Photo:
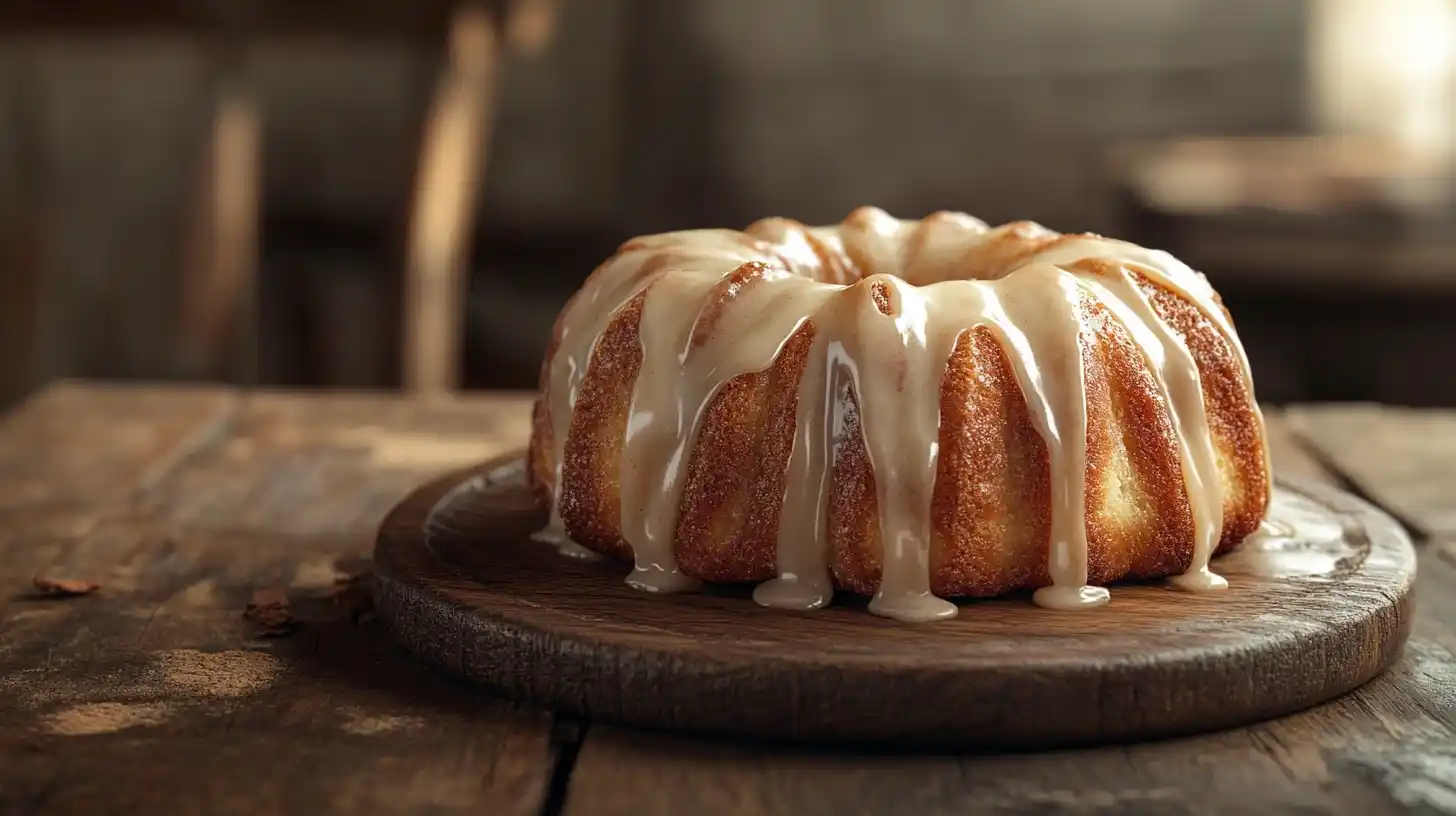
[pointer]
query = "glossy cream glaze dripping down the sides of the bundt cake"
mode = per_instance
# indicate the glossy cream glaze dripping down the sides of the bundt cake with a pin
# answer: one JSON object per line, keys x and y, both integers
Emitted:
{"x": 889, "y": 301}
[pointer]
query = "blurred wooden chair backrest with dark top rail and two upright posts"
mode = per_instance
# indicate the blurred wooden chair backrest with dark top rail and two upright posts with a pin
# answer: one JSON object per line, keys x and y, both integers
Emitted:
{"x": 215, "y": 337}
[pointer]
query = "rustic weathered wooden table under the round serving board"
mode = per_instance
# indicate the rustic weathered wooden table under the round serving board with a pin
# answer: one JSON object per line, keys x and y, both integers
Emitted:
{"x": 154, "y": 694}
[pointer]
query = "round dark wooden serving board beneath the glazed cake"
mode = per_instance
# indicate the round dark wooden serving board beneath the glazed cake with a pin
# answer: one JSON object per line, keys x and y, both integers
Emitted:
{"x": 462, "y": 585}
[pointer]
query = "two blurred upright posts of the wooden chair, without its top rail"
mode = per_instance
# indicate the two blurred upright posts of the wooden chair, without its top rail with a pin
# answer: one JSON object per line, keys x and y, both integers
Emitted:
{"x": 216, "y": 302}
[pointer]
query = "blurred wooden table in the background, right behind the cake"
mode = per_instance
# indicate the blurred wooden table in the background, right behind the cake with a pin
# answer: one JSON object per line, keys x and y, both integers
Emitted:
{"x": 1337, "y": 257}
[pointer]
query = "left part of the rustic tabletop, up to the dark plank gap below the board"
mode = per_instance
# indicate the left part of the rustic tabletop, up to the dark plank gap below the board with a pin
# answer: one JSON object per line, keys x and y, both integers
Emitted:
{"x": 154, "y": 694}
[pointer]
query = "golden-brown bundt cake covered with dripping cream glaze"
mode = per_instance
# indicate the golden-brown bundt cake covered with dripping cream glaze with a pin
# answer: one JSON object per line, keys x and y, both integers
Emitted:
{"x": 901, "y": 410}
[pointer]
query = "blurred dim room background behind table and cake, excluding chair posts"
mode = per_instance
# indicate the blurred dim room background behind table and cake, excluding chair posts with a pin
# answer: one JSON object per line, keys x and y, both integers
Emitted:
{"x": 1208, "y": 127}
